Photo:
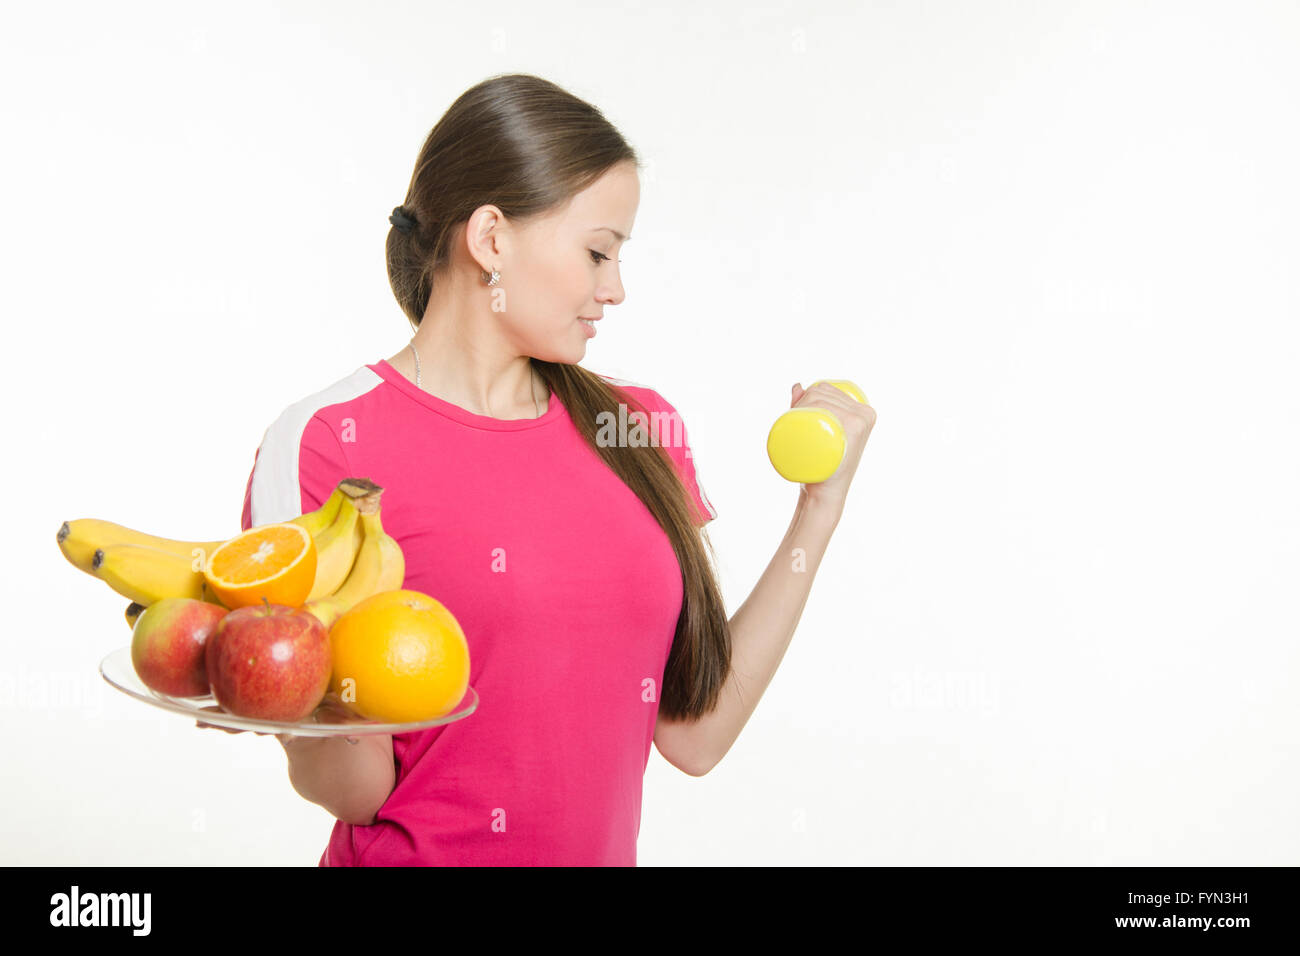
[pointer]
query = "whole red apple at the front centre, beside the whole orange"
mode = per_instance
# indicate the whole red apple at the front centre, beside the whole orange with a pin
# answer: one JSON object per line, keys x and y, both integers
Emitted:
{"x": 270, "y": 661}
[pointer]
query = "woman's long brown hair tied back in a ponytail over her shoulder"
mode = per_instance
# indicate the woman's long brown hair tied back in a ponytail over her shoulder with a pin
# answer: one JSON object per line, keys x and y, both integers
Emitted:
{"x": 528, "y": 146}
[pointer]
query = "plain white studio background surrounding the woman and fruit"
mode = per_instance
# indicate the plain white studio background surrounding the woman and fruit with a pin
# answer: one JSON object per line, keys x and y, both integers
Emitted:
{"x": 1055, "y": 243}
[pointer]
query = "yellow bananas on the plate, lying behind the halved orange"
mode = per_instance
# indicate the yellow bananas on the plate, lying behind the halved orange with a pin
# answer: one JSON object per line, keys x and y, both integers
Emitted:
{"x": 148, "y": 568}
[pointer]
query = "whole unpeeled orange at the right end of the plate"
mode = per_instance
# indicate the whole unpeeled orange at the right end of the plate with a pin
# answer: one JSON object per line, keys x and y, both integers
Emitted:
{"x": 400, "y": 656}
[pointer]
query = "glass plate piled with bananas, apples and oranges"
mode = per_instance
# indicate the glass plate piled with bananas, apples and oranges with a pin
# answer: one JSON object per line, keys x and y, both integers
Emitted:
{"x": 300, "y": 628}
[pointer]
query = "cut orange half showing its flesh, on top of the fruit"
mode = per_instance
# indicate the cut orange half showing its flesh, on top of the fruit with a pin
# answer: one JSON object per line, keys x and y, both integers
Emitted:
{"x": 276, "y": 563}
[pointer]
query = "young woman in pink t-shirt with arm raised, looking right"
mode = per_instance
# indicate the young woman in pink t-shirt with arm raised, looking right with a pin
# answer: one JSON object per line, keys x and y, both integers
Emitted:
{"x": 574, "y": 559}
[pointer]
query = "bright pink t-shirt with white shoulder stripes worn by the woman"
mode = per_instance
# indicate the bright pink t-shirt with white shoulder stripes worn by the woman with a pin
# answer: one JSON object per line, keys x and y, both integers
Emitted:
{"x": 569, "y": 592}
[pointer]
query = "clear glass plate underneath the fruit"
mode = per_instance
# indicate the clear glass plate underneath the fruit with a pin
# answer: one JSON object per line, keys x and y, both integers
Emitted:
{"x": 331, "y": 720}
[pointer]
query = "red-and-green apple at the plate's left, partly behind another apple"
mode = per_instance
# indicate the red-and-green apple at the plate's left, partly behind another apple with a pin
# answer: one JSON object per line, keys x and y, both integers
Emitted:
{"x": 170, "y": 644}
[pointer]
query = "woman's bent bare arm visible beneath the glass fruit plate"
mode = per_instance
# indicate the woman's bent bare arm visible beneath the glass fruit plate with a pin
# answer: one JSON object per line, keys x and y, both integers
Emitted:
{"x": 350, "y": 781}
